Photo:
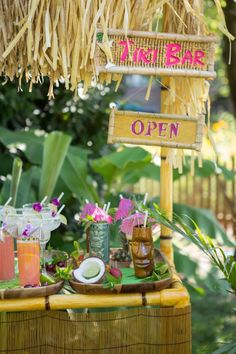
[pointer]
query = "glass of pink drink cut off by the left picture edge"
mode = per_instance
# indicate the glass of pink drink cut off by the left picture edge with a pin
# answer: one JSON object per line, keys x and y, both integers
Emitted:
{"x": 7, "y": 267}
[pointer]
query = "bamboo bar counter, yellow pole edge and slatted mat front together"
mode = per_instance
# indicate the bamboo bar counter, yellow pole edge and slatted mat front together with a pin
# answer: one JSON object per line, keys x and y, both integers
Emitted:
{"x": 152, "y": 323}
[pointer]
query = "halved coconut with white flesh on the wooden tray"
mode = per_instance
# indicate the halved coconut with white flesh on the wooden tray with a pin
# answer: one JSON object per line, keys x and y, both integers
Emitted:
{"x": 90, "y": 271}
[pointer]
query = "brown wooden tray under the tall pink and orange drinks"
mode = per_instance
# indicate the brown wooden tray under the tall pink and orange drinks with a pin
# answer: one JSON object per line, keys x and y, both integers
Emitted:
{"x": 21, "y": 293}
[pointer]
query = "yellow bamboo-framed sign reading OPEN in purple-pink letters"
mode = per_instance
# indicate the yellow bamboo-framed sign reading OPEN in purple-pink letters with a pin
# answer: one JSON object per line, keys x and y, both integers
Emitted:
{"x": 174, "y": 131}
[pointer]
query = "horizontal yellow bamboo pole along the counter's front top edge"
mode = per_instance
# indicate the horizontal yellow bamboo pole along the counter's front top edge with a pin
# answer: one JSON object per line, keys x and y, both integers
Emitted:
{"x": 176, "y": 297}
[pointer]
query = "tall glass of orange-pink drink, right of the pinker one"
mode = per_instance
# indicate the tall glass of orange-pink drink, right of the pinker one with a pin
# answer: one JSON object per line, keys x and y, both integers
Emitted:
{"x": 28, "y": 251}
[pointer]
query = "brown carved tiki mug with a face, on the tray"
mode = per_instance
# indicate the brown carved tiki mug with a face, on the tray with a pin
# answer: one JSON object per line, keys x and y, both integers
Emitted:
{"x": 142, "y": 251}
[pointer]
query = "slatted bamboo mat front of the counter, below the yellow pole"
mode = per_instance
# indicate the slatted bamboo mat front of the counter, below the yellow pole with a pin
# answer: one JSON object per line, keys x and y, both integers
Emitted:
{"x": 126, "y": 331}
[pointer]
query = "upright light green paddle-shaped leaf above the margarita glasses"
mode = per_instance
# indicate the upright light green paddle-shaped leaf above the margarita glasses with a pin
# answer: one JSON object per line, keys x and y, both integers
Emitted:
{"x": 55, "y": 149}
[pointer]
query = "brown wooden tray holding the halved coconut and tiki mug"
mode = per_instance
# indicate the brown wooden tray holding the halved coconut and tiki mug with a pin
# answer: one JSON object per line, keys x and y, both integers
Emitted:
{"x": 82, "y": 288}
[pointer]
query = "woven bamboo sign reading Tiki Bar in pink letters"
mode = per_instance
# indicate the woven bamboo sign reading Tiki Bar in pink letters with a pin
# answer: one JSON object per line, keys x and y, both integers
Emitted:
{"x": 151, "y": 53}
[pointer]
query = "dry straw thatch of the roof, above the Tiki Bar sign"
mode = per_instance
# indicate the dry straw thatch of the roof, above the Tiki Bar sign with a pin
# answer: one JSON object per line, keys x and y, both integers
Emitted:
{"x": 57, "y": 38}
